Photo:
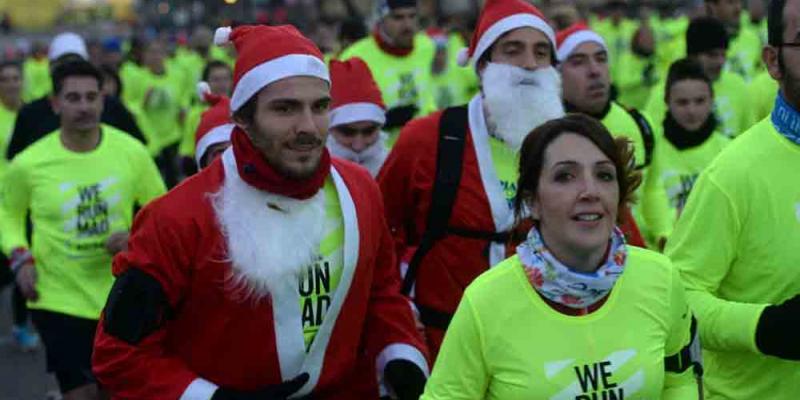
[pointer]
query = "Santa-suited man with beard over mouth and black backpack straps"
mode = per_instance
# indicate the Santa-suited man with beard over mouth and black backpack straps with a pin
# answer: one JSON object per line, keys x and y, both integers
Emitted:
{"x": 513, "y": 54}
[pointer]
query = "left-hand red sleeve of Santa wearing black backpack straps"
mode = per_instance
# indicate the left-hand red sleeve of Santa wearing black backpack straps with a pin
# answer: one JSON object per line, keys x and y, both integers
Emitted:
{"x": 396, "y": 180}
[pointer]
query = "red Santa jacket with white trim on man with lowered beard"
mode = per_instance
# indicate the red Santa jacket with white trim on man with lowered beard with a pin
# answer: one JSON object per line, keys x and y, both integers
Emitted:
{"x": 217, "y": 339}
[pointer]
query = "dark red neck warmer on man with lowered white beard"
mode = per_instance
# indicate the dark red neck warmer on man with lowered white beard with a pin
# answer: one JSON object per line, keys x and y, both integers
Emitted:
{"x": 255, "y": 170}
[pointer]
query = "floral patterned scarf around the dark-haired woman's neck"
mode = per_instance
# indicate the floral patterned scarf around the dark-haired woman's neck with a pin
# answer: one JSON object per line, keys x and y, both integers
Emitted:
{"x": 562, "y": 285}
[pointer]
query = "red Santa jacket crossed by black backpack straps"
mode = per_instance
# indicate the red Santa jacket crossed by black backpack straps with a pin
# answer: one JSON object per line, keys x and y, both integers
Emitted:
{"x": 406, "y": 181}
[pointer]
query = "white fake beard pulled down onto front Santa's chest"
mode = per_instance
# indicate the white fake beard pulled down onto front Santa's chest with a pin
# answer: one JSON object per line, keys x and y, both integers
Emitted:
{"x": 267, "y": 248}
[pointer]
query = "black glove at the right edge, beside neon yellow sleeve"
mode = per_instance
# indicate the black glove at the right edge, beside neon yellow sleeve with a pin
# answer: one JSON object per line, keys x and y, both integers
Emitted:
{"x": 776, "y": 334}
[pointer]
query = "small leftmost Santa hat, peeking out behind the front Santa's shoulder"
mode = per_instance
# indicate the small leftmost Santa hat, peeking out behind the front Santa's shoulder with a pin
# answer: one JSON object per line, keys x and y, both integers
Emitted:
{"x": 215, "y": 123}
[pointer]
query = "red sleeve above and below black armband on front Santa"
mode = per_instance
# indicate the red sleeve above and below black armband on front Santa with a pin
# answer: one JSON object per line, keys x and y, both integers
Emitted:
{"x": 146, "y": 370}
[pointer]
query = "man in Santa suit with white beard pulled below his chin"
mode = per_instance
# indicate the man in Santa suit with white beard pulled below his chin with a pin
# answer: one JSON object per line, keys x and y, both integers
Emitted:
{"x": 270, "y": 274}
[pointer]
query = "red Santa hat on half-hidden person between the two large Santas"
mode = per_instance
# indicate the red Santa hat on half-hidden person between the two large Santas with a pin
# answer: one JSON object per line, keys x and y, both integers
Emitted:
{"x": 355, "y": 95}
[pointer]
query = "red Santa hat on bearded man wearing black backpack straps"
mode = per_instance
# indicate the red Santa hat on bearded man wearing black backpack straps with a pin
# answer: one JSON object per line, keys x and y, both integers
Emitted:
{"x": 499, "y": 17}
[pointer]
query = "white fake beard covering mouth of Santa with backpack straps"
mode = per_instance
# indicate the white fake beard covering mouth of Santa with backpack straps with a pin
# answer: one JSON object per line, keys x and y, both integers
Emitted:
{"x": 517, "y": 100}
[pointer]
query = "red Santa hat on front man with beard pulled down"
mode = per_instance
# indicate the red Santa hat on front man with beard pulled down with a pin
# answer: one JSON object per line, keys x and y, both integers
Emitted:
{"x": 268, "y": 54}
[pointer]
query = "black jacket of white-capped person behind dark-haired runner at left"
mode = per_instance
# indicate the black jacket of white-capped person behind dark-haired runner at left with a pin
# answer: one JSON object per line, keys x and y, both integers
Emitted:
{"x": 36, "y": 119}
